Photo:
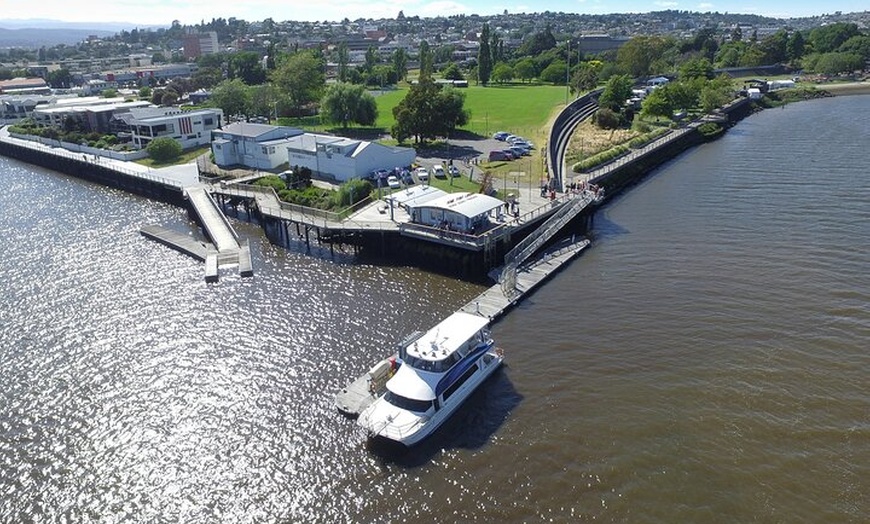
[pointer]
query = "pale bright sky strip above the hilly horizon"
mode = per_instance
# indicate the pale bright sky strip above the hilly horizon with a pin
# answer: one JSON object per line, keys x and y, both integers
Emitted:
{"x": 163, "y": 12}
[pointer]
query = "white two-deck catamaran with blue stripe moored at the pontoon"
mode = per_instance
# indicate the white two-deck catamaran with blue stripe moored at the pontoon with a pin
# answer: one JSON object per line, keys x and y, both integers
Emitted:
{"x": 436, "y": 373}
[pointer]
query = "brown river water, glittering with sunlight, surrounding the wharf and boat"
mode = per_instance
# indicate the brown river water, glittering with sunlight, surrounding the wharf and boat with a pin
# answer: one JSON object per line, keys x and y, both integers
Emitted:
{"x": 705, "y": 361}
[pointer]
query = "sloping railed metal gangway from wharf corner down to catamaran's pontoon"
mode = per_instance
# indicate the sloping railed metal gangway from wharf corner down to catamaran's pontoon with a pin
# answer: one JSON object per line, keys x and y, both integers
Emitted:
{"x": 529, "y": 245}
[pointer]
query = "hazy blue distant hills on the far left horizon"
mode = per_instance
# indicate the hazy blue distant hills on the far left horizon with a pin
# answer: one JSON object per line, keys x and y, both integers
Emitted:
{"x": 35, "y": 33}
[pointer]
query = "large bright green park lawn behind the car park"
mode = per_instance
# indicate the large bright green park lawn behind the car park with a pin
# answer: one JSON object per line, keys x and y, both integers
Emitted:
{"x": 519, "y": 108}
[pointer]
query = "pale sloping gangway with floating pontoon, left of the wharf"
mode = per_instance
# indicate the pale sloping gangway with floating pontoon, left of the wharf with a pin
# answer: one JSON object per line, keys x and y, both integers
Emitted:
{"x": 224, "y": 250}
